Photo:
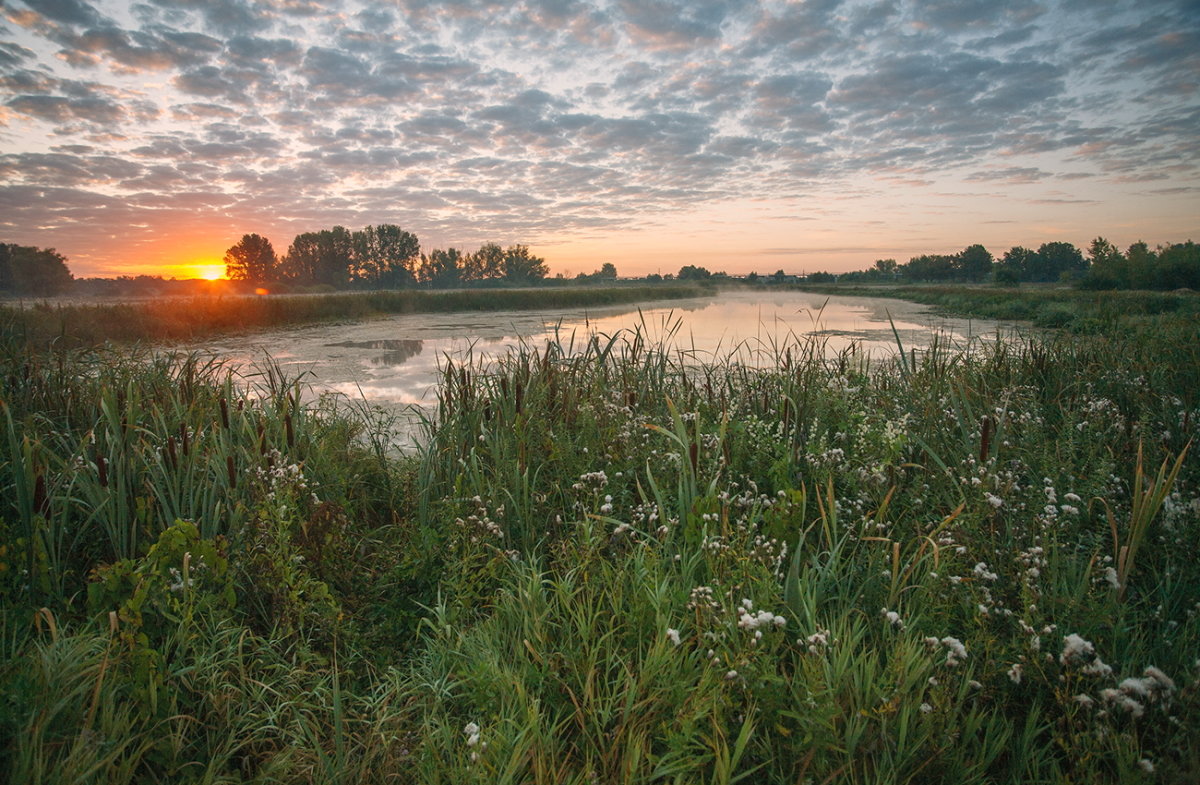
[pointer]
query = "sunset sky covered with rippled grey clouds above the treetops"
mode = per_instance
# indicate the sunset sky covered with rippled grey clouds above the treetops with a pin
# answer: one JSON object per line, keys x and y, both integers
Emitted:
{"x": 148, "y": 137}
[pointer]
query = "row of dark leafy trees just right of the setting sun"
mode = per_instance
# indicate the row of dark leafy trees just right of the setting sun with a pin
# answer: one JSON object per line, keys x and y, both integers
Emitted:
{"x": 379, "y": 257}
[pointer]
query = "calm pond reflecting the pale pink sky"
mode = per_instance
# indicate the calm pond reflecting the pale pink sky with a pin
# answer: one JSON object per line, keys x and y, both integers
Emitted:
{"x": 394, "y": 362}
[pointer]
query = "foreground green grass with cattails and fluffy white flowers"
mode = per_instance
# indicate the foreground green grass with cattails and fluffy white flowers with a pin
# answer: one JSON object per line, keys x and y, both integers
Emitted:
{"x": 961, "y": 566}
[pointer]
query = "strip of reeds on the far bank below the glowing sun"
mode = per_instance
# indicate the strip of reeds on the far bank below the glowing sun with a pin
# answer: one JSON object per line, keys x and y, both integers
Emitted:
{"x": 189, "y": 319}
